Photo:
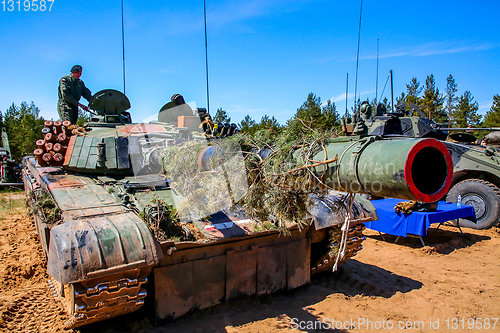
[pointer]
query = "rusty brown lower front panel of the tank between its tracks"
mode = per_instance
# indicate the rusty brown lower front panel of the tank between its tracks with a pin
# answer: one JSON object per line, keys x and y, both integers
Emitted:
{"x": 202, "y": 276}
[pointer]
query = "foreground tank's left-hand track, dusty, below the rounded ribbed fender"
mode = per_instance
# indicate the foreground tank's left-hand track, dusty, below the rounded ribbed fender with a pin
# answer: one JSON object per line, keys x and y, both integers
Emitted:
{"x": 91, "y": 301}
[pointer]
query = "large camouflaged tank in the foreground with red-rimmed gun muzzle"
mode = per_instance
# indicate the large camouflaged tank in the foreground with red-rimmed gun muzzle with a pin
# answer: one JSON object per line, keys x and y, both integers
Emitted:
{"x": 103, "y": 213}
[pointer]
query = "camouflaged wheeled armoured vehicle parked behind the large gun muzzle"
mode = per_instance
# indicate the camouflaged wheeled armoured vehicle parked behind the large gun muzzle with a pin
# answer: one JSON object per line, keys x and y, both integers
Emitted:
{"x": 476, "y": 169}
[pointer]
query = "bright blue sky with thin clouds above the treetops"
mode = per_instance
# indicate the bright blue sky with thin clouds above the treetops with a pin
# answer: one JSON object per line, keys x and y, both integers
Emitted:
{"x": 265, "y": 56}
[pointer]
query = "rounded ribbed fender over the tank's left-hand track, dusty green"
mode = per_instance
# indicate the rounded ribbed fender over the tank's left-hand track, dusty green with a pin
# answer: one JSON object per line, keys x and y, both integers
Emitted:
{"x": 99, "y": 246}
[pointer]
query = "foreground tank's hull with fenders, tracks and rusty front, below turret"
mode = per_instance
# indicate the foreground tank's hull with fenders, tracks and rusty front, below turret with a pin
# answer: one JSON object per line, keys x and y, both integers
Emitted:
{"x": 96, "y": 281}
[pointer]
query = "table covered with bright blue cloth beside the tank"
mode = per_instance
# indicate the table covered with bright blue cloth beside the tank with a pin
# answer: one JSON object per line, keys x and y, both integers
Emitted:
{"x": 415, "y": 223}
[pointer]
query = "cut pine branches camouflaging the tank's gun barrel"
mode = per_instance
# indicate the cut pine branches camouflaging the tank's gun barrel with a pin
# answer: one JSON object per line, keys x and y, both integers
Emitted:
{"x": 278, "y": 187}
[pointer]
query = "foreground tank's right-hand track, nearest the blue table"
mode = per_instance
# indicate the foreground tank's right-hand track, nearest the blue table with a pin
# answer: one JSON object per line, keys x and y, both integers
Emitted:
{"x": 354, "y": 239}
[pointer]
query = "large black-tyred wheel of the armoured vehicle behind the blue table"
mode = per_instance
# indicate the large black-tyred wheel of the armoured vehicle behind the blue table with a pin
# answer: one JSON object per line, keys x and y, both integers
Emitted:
{"x": 483, "y": 196}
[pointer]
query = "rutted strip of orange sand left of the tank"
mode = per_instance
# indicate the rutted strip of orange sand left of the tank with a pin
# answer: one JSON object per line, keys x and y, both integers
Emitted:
{"x": 25, "y": 300}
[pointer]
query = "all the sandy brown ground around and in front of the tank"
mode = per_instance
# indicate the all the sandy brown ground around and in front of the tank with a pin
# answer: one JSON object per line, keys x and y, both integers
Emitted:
{"x": 450, "y": 285}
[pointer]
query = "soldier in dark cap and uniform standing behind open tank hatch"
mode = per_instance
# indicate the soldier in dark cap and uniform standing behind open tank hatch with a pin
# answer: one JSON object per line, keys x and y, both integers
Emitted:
{"x": 71, "y": 89}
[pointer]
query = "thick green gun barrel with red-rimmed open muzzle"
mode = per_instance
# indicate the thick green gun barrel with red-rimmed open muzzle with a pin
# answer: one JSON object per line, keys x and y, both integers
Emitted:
{"x": 411, "y": 169}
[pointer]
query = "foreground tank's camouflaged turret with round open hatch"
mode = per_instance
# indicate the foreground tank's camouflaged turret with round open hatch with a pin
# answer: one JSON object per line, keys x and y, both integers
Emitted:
{"x": 111, "y": 145}
